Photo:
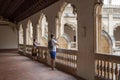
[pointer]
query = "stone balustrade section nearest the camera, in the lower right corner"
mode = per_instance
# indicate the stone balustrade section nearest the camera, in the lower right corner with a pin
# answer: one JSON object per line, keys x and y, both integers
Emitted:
{"x": 107, "y": 67}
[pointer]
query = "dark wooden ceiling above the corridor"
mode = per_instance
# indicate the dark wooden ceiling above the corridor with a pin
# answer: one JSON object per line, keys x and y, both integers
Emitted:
{"x": 17, "y": 10}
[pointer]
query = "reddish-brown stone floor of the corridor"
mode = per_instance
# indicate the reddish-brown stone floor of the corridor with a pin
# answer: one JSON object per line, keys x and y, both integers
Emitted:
{"x": 16, "y": 67}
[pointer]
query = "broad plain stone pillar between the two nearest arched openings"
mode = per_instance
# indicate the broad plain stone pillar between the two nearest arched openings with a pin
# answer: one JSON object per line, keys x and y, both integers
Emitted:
{"x": 86, "y": 60}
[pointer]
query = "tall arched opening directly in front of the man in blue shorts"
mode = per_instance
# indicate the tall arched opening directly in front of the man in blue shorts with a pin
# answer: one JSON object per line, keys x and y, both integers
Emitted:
{"x": 67, "y": 27}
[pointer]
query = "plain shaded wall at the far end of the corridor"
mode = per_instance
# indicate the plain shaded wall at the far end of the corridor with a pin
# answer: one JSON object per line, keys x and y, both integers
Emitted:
{"x": 8, "y": 37}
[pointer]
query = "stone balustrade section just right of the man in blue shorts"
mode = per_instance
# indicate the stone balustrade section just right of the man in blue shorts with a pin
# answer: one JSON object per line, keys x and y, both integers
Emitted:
{"x": 67, "y": 60}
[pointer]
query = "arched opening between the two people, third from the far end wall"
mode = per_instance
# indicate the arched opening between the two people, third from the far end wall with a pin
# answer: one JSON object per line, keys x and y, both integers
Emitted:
{"x": 42, "y": 30}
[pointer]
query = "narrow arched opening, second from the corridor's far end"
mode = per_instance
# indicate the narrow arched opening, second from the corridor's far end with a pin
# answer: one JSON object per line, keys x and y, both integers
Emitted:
{"x": 29, "y": 33}
